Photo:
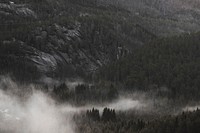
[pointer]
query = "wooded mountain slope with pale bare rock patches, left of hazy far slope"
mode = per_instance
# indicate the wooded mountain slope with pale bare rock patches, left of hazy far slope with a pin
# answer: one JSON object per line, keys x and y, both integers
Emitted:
{"x": 64, "y": 38}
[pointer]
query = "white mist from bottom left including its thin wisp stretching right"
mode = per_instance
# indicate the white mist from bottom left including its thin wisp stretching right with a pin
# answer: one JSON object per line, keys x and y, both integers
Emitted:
{"x": 36, "y": 112}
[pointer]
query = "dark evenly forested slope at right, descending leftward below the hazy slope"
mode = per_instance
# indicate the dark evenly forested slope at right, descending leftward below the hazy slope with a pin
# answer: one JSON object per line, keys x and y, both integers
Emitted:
{"x": 169, "y": 65}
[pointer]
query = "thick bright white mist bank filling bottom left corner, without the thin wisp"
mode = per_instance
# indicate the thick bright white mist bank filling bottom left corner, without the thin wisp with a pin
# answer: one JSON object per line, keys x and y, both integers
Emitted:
{"x": 39, "y": 114}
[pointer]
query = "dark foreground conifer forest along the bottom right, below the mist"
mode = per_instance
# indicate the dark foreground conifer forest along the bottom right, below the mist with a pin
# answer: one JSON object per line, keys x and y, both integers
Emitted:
{"x": 187, "y": 122}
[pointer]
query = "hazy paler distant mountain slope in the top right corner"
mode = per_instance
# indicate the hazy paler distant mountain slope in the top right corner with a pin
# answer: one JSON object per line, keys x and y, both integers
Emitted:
{"x": 164, "y": 17}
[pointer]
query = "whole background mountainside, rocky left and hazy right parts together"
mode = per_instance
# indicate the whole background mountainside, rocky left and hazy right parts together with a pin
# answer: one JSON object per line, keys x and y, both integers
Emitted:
{"x": 70, "y": 38}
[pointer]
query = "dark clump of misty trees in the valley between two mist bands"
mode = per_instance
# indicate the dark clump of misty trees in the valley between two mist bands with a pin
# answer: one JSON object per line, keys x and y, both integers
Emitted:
{"x": 84, "y": 93}
